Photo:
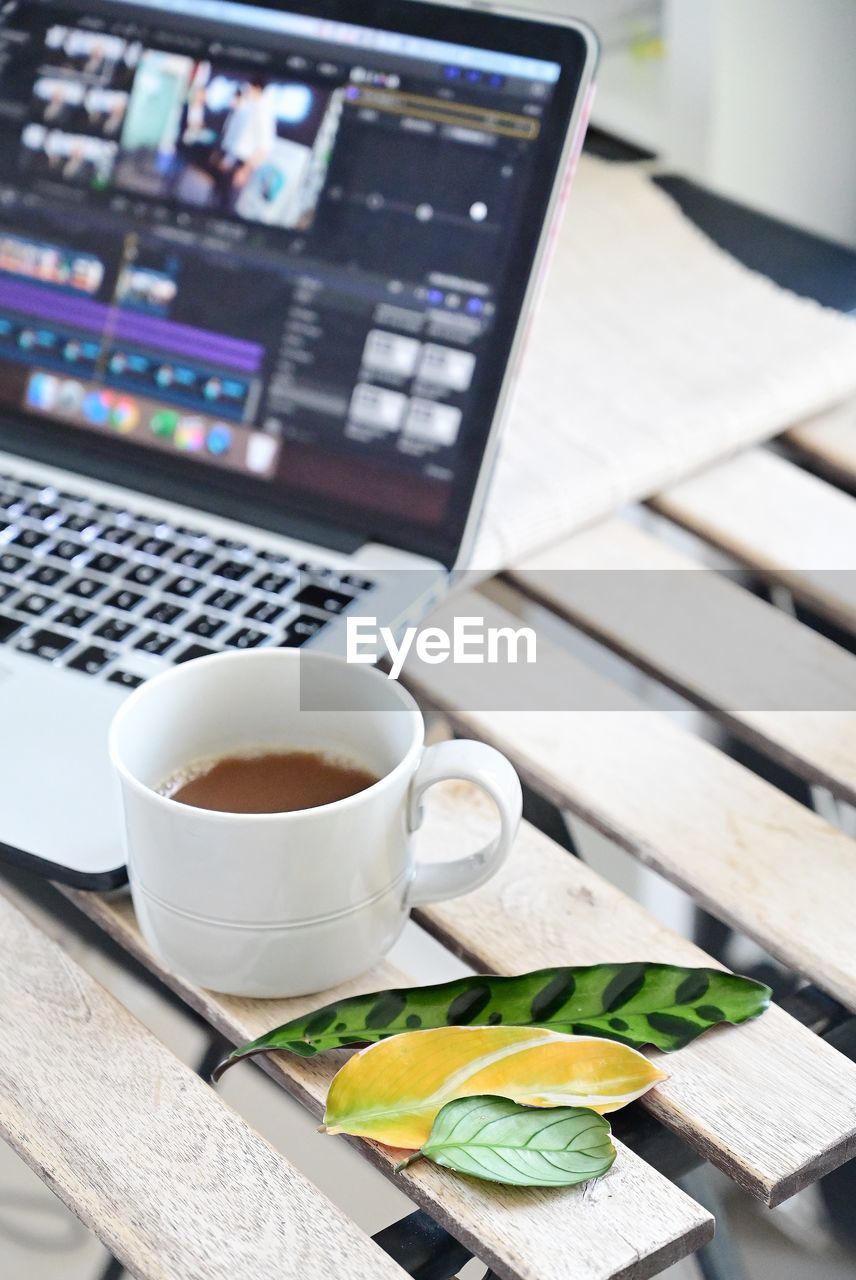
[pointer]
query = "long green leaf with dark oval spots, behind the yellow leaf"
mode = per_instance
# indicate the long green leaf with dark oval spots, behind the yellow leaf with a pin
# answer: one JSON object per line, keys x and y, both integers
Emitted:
{"x": 638, "y": 1004}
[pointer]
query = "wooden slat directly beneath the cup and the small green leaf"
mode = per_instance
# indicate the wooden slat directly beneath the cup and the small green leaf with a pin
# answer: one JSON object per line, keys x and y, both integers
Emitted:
{"x": 630, "y": 1224}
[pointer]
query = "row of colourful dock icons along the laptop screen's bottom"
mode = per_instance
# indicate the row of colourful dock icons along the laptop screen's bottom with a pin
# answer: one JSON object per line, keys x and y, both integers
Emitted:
{"x": 150, "y": 423}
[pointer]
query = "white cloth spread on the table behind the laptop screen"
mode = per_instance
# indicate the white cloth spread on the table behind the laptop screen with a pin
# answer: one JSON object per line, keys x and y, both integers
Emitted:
{"x": 653, "y": 354}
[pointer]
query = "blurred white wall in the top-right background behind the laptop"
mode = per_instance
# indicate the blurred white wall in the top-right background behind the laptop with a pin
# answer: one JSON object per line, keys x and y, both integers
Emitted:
{"x": 756, "y": 99}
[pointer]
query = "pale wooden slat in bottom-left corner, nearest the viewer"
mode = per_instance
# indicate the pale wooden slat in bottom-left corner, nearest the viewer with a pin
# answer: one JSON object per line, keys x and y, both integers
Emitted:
{"x": 173, "y": 1182}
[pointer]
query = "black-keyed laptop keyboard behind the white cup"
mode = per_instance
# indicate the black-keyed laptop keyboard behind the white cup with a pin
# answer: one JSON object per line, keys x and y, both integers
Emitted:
{"x": 115, "y": 593}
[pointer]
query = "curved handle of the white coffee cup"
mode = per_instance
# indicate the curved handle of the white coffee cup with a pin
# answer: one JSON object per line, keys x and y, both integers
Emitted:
{"x": 469, "y": 762}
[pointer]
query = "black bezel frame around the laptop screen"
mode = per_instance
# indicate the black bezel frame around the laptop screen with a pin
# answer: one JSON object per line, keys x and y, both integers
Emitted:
{"x": 289, "y": 511}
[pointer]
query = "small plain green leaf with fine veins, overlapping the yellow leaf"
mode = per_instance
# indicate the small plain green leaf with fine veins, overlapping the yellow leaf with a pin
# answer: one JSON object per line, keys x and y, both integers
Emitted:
{"x": 505, "y": 1142}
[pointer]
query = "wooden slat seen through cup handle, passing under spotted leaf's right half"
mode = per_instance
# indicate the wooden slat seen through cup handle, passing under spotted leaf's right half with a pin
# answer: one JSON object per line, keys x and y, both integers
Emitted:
{"x": 768, "y": 1103}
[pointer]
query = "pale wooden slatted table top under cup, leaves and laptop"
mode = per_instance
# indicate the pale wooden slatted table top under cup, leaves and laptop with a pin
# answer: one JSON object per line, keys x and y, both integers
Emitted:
{"x": 143, "y": 1150}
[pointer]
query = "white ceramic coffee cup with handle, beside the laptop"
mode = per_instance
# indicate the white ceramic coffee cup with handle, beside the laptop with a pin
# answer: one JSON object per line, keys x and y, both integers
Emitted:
{"x": 289, "y": 904}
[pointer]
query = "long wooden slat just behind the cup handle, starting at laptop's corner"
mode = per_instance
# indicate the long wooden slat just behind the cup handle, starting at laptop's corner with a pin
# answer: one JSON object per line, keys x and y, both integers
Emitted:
{"x": 741, "y": 848}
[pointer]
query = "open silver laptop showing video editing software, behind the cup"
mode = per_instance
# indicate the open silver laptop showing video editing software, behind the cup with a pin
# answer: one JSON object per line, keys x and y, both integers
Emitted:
{"x": 264, "y": 272}
